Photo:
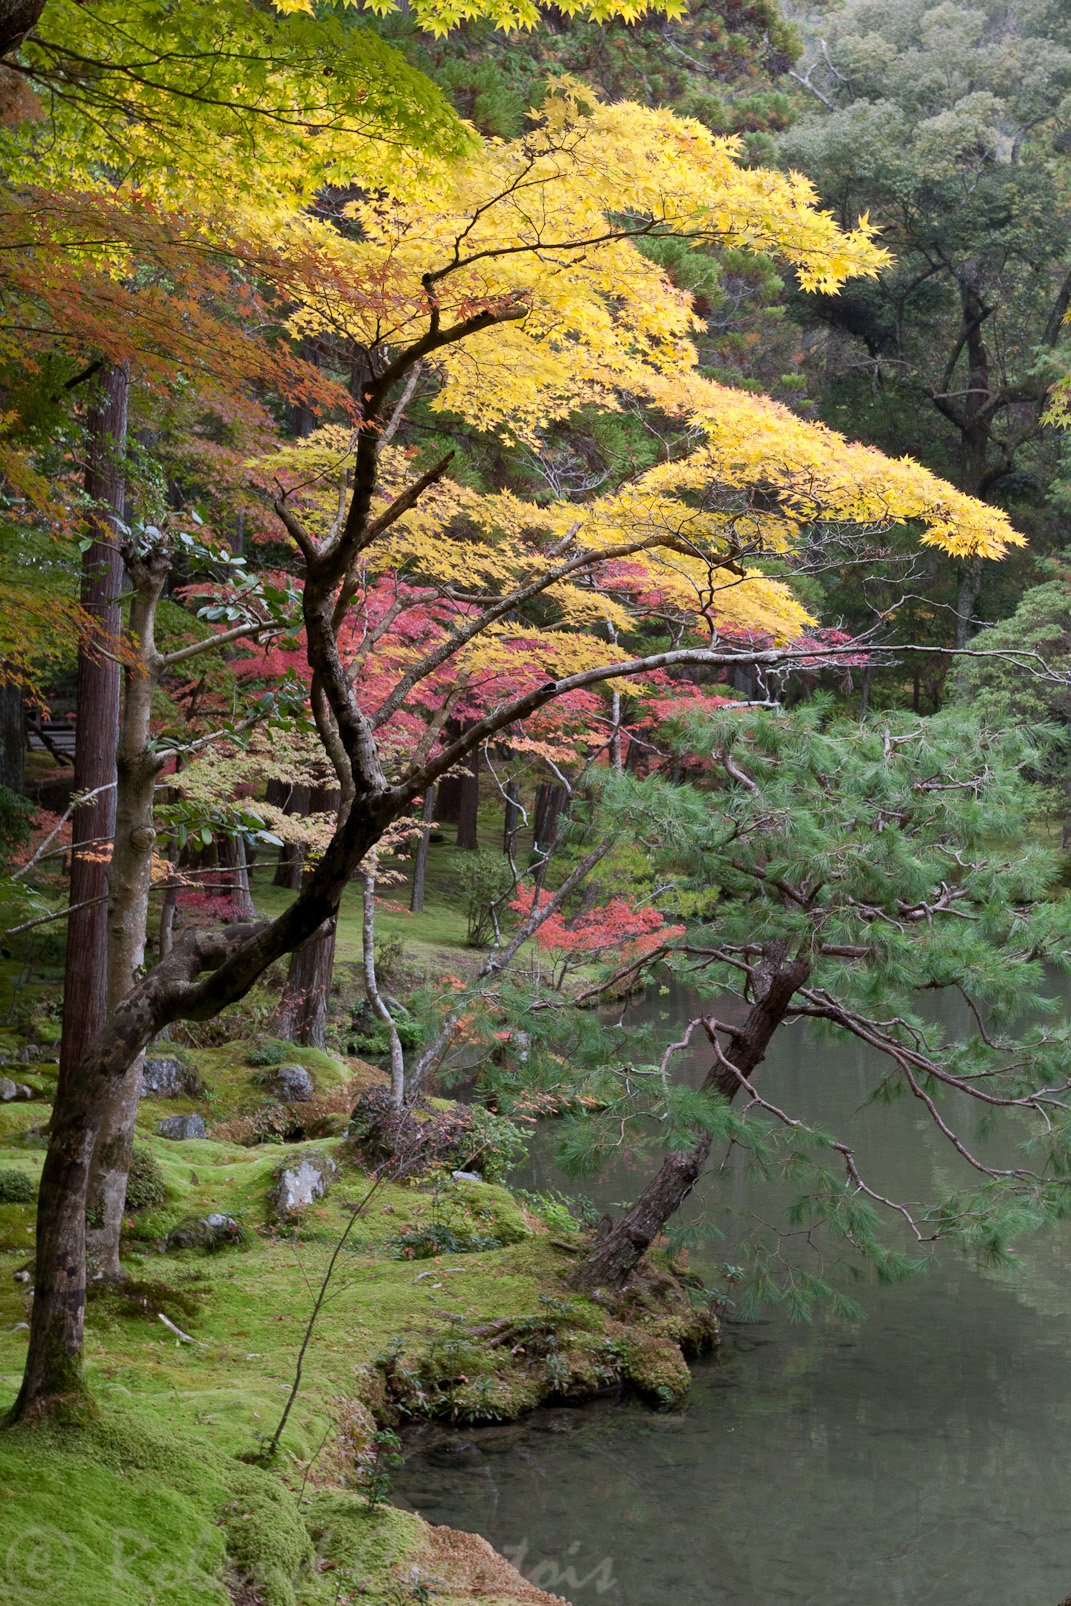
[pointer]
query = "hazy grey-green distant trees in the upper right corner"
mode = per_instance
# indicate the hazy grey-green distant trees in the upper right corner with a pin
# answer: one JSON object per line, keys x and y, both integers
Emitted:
{"x": 950, "y": 126}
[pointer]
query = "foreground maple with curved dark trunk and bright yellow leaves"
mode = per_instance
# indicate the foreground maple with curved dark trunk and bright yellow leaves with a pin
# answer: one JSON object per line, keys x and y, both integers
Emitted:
{"x": 515, "y": 280}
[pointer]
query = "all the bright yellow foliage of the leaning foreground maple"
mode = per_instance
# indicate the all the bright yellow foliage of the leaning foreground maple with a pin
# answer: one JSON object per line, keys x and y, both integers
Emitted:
{"x": 553, "y": 224}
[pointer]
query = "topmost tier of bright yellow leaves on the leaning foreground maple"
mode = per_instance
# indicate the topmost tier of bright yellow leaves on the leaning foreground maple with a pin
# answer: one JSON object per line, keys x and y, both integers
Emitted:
{"x": 553, "y": 222}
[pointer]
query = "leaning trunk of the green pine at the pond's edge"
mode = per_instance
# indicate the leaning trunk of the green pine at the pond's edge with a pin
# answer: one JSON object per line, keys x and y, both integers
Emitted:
{"x": 619, "y": 1250}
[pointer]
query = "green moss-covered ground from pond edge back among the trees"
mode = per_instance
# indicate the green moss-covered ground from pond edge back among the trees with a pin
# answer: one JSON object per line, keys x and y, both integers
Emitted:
{"x": 165, "y": 1496}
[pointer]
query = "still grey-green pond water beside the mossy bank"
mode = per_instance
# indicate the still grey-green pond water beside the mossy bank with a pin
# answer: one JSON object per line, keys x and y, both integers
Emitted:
{"x": 919, "y": 1457}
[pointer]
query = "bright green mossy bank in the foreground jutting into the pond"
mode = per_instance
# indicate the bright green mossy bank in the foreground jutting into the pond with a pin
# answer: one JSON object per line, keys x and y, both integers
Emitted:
{"x": 160, "y": 1498}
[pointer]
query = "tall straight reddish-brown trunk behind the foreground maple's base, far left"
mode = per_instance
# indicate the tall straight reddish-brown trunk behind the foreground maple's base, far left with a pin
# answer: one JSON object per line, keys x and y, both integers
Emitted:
{"x": 86, "y": 974}
